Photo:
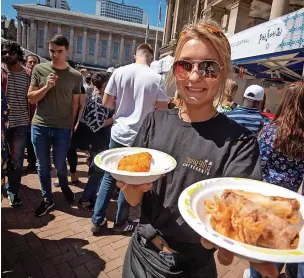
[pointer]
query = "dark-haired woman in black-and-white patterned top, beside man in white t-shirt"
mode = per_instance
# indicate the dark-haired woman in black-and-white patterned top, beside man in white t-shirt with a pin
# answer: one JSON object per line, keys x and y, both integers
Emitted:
{"x": 93, "y": 134}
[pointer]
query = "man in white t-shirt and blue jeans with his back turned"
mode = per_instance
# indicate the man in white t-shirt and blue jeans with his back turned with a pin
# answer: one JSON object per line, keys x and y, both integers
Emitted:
{"x": 133, "y": 91}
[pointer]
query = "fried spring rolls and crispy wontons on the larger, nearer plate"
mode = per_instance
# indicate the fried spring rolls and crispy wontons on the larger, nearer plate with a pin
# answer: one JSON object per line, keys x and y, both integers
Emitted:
{"x": 255, "y": 219}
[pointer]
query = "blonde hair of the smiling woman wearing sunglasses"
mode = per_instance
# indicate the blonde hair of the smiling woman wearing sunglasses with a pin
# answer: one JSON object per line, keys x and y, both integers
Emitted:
{"x": 205, "y": 30}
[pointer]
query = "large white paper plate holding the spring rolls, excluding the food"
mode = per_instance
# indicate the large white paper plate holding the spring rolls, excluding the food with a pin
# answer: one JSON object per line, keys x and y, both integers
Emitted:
{"x": 191, "y": 207}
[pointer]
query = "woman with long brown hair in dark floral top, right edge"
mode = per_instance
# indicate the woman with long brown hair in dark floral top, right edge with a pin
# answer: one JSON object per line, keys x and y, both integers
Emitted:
{"x": 282, "y": 147}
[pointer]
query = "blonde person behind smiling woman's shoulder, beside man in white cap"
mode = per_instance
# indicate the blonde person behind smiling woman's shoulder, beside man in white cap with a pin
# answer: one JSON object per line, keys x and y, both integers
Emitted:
{"x": 226, "y": 103}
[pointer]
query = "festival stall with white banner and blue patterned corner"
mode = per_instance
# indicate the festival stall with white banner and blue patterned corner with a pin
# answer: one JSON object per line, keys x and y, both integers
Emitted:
{"x": 270, "y": 54}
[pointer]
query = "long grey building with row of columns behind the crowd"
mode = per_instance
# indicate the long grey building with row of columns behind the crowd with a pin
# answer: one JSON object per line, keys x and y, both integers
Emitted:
{"x": 94, "y": 40}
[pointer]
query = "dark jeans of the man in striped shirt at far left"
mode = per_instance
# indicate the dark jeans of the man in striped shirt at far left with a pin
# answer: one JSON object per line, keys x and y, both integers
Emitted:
{"x": 16, "y": 138}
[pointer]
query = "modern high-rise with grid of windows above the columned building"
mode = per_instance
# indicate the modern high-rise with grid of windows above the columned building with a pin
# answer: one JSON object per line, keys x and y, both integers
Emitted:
{"x": 120, "y": 11}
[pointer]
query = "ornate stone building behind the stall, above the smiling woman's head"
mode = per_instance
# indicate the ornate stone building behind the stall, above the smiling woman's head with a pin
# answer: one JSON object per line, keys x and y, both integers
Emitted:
{"x": 231, "y": 15}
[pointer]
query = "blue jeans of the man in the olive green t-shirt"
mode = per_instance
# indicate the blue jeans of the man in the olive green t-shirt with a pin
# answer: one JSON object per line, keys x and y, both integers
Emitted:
{"x": 43, "y": 138}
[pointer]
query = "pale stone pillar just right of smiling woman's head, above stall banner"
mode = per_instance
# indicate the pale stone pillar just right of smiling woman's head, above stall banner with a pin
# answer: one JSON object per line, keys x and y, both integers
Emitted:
{"x": 239, "y": 15}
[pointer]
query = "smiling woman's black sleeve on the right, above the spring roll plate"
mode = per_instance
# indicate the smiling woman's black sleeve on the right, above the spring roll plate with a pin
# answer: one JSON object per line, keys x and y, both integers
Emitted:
{"x": 244, "y": 161}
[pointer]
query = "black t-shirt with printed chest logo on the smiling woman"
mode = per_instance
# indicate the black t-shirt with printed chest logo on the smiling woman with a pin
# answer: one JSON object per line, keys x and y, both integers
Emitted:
{"x": 215, "y": 148}
